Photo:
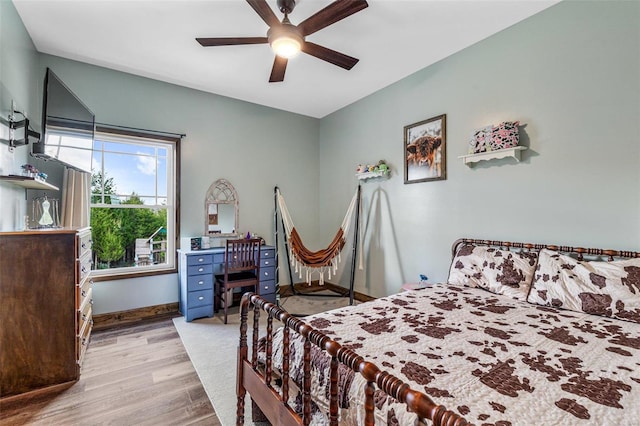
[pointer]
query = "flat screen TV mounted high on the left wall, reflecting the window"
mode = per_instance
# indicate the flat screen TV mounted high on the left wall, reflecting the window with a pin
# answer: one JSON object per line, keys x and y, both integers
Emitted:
{"x": 68, "y": 126}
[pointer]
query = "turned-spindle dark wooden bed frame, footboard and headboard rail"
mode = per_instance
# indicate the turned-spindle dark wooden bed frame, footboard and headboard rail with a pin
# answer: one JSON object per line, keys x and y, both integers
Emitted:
{"x": 270, "y": 402}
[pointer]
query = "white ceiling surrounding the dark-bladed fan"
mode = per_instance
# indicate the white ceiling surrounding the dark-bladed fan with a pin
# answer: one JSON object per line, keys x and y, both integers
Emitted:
{"x": 155, "y": 39}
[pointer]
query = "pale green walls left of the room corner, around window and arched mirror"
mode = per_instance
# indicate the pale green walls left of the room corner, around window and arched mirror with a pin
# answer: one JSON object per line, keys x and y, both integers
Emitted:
{"x": 253, "y": 147}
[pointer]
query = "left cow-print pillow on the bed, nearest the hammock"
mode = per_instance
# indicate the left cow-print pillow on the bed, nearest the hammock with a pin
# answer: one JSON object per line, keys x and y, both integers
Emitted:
{"x": 499, "y": 271}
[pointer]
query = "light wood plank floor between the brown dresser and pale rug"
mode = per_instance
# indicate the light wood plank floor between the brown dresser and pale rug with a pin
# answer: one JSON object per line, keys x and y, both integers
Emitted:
{"x": 139, "y": 375}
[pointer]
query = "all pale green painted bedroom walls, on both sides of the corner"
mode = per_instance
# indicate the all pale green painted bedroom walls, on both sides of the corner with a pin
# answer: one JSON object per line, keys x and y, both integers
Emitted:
{"x": 569, "y": 73}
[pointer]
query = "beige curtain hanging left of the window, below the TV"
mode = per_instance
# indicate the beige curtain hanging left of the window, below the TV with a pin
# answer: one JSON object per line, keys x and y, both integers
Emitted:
{"x": 76, "y": 192}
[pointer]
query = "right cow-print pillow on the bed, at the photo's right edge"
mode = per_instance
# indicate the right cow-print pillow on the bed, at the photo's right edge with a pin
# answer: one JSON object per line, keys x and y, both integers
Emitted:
{"x": 610, "y": 289}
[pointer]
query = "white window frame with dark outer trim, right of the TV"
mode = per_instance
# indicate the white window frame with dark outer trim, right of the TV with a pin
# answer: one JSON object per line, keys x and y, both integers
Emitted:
{"x": 172, "y": 144}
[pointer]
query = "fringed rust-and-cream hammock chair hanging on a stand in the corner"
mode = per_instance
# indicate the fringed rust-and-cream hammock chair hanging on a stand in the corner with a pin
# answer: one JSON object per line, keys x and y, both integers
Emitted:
{"x": 323, "y": 262}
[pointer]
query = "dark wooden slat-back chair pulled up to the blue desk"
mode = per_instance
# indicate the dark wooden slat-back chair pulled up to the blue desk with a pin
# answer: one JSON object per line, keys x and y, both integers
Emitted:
{"x": 241, "y": 269}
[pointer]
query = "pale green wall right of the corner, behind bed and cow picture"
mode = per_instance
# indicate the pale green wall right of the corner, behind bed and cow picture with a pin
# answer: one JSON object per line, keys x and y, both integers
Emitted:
{"x": 571, "y": 75}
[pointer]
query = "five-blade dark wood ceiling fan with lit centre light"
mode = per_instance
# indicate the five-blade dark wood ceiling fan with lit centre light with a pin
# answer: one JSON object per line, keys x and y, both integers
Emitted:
{"x": 287, "y": 39}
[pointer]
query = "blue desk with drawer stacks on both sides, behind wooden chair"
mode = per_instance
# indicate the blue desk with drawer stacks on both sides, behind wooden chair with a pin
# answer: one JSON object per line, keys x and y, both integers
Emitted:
{"x": 197, "y": 270}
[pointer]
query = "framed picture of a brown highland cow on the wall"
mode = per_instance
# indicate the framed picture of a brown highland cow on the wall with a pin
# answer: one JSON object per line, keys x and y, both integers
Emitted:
{"x": 425, "y": 147}
